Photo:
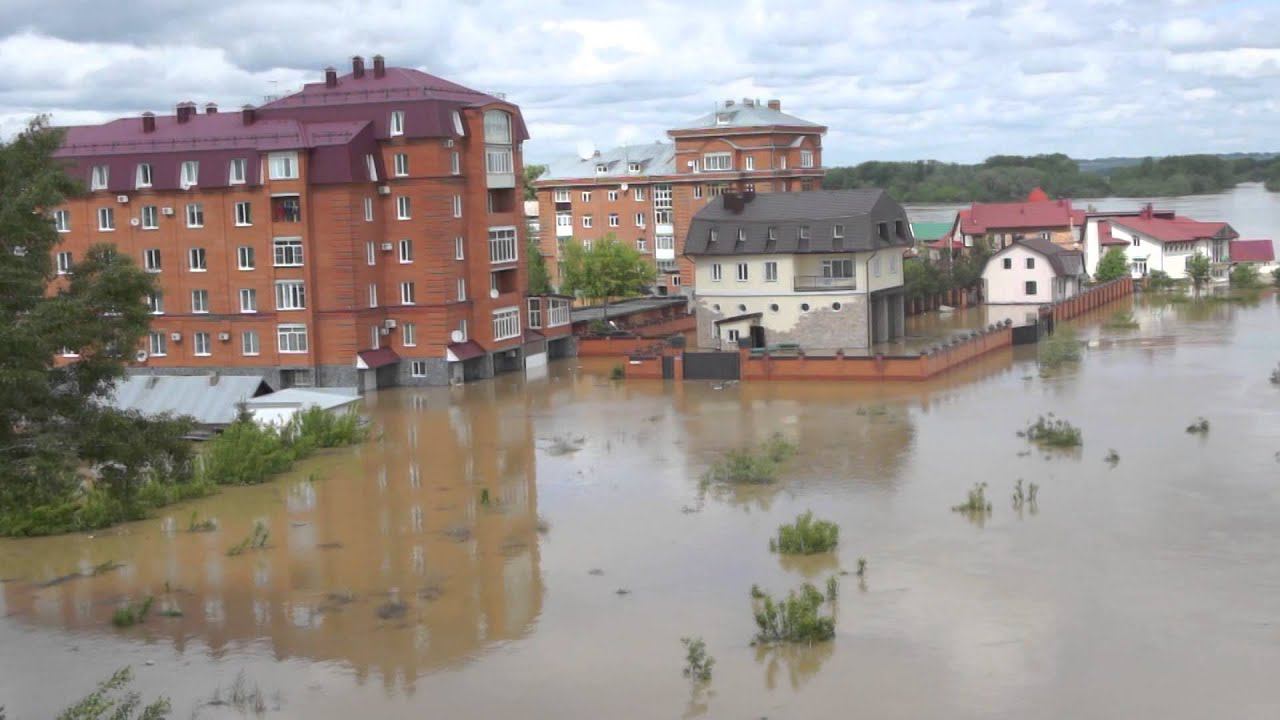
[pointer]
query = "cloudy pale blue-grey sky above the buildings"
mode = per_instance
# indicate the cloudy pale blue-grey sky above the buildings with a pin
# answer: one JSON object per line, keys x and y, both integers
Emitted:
{"x": 894, "y": 81}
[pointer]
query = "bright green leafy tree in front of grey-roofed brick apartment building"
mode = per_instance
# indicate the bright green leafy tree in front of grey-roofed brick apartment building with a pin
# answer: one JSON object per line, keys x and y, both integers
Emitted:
{"x": 606, "y": 271}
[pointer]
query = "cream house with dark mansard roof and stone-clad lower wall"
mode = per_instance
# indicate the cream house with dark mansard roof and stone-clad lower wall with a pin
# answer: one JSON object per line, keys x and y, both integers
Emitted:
{"x": 819, "y": 270}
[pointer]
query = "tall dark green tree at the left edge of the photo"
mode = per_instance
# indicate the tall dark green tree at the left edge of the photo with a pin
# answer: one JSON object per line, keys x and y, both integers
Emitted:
{"x": 53, "y": 423}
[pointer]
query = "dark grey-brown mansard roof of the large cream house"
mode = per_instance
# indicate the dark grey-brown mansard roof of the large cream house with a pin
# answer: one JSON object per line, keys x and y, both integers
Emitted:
{"x": 787, "y": 213}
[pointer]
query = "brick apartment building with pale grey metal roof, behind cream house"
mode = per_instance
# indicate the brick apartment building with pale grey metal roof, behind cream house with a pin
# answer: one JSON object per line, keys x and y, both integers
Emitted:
{"x": 647, "y": 195}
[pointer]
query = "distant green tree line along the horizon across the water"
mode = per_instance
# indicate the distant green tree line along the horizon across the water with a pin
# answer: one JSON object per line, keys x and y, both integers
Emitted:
{"x": 1012, "y": 177}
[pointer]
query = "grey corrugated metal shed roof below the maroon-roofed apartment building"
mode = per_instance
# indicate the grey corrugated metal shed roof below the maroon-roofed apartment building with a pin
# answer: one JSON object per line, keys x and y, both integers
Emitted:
{"x": 199, "y": 397}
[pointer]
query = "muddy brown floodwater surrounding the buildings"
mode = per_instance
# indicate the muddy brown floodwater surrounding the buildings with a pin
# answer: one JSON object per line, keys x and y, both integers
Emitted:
{"x": 390, "y": 590}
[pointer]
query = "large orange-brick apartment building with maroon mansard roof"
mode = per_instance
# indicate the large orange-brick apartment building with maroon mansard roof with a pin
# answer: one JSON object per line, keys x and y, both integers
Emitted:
{"x": 365, "y": 231}
